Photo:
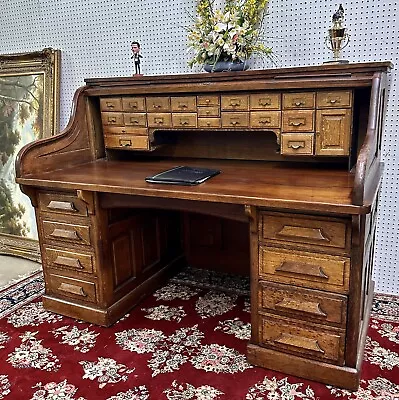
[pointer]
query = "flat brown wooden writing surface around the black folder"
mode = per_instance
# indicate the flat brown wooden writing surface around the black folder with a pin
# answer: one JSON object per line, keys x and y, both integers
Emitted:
{"x": 240, "y": 182}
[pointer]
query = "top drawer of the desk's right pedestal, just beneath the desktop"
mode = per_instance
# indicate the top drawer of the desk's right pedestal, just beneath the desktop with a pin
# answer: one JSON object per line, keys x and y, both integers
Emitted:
{"x": 305, "y": 230}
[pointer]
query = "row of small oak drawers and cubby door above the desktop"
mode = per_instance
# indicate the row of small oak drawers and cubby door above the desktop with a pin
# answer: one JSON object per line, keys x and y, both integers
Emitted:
{"x": 309, "y": 123}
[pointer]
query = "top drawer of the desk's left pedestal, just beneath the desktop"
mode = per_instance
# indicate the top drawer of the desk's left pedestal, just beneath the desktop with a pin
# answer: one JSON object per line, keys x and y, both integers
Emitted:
{"x": 62, "y": 204}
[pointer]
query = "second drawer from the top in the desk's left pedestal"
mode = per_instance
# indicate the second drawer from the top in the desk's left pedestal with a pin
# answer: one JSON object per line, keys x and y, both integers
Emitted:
{"x": 69, "y": 233}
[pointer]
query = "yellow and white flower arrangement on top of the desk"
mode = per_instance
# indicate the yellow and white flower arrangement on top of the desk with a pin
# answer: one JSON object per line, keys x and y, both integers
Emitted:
{"x": 233, "y": 34}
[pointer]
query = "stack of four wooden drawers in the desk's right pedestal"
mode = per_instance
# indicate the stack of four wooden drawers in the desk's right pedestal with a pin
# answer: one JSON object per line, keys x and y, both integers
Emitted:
{"x": 304, "y": 270}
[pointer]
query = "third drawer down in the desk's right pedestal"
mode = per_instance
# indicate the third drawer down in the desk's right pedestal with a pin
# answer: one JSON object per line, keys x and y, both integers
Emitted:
{"x": 305, "y": 304}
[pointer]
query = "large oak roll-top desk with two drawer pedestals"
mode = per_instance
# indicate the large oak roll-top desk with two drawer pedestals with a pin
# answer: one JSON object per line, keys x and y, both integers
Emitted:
{"x": 294, "y": 206}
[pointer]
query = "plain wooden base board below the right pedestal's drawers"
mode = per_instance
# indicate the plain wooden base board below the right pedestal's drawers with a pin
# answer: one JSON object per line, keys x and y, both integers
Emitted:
{"x": 344, "y": 377}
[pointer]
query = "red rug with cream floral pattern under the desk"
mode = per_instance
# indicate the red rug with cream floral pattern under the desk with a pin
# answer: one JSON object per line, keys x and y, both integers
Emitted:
{"x": 183, "y": 342}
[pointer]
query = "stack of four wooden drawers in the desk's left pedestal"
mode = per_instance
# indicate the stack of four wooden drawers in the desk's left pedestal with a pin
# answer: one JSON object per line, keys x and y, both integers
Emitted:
{"x": 67, "y": 246}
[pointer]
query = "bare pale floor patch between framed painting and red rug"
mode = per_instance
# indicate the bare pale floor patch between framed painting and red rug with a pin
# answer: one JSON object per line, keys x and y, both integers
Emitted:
{"x": 13, "y": 269}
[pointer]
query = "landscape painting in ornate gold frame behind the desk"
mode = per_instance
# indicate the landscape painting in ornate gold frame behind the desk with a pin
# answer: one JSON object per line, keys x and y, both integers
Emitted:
{"x": 29, "y": 110}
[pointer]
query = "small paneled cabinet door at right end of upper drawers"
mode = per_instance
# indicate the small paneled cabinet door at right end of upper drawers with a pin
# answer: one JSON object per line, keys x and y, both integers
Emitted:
{"x": 333, "y": 132}
